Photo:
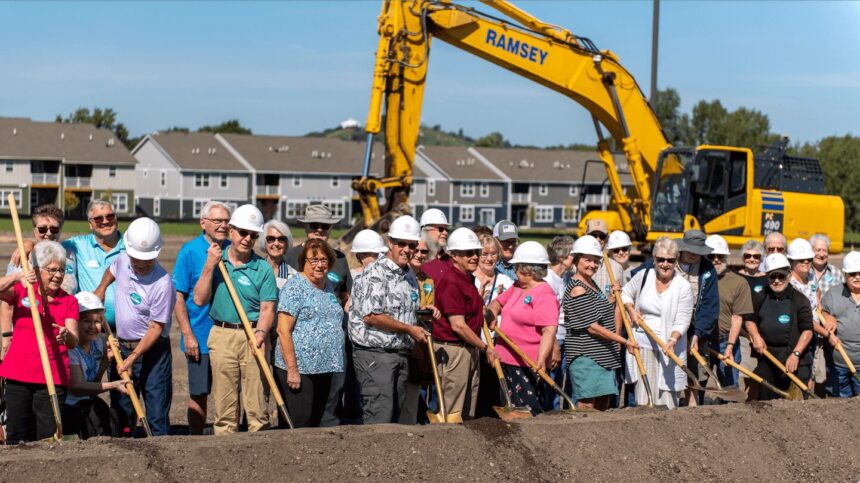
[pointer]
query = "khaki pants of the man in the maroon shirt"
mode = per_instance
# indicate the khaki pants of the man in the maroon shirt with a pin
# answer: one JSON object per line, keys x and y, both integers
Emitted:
{"x": 459, "y": 375}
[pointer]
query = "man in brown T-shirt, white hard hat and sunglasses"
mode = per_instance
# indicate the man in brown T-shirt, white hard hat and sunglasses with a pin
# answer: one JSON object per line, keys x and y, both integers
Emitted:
{"x": 735, "y": 304}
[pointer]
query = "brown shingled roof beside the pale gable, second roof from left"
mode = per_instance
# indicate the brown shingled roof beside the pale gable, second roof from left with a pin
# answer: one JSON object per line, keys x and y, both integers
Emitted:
{"x": 197, "y": 151}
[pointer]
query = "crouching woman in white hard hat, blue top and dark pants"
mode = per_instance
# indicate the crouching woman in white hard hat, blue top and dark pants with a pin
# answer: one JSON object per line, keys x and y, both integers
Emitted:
{"x": 84, "y": 413}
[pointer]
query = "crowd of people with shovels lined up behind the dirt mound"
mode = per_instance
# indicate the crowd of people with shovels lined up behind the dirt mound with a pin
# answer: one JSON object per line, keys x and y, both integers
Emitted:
{"x": 352, "y": 345}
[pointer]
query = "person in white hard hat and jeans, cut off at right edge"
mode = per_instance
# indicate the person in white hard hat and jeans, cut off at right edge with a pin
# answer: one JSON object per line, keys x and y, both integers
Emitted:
{"x": 842, "y": 325}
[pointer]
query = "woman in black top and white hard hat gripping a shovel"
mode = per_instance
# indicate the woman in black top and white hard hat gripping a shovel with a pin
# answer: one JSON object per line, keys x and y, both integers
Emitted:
{"x": 781, "y": 322}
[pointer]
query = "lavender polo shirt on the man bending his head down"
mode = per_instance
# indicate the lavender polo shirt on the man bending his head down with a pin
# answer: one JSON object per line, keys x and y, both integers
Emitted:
{"x": 141, "y": 299}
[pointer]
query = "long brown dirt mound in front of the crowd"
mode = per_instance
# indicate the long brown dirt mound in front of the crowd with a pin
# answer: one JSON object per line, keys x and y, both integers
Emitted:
{"x": 813, "y": 440}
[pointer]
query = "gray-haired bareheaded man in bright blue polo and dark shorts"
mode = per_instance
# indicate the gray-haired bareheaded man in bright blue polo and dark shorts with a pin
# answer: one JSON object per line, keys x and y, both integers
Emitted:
{"x": 193, "y": 319}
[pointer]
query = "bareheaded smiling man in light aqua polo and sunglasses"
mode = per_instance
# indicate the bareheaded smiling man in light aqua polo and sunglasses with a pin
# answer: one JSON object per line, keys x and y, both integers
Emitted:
{"x": 94, "y": 253}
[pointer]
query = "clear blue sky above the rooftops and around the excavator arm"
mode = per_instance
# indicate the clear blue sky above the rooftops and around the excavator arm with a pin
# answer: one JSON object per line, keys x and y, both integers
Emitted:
{"x": 294, "y": 67}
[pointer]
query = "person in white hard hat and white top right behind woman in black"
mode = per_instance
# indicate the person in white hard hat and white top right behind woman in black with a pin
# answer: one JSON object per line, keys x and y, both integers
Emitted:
{"x": 800, "y": 256}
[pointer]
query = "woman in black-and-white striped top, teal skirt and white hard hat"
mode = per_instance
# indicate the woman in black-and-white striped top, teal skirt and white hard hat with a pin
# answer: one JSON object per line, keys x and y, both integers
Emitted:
{"x": 591, "y": 342}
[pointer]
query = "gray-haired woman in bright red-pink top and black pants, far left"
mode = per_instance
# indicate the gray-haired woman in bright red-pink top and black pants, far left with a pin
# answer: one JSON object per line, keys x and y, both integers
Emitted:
{"x": 28, "y": 405}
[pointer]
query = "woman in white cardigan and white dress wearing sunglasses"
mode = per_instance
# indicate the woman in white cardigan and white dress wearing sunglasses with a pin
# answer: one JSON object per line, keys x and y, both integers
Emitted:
{"x": 663, "y": 300}
